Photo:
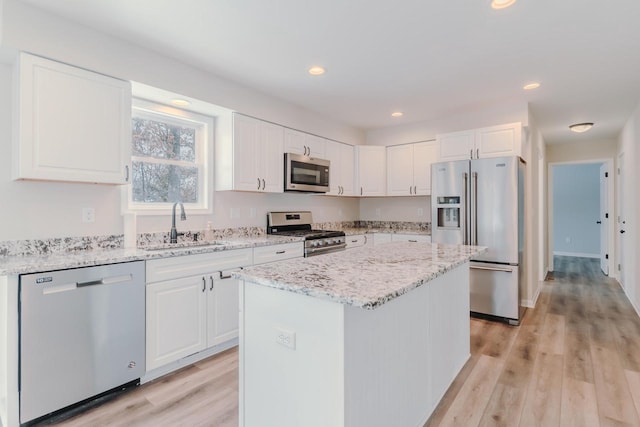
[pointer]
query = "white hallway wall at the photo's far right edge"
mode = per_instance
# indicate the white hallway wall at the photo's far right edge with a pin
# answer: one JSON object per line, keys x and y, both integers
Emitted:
{"x": 628, "y": 142}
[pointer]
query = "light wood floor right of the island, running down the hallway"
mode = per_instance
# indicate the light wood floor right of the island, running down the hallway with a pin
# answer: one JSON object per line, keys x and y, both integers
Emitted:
{"x": 574, "y": 361}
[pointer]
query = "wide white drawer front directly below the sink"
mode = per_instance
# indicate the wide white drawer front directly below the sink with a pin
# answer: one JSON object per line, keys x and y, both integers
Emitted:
{"x": 190, "y": 265}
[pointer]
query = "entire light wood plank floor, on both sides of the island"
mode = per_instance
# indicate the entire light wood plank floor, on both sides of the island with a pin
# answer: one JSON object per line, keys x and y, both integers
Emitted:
{"x": 574, "y": 361}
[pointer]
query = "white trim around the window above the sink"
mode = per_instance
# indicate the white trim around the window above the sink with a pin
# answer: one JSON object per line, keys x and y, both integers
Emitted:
{"x": 205, "y": 151}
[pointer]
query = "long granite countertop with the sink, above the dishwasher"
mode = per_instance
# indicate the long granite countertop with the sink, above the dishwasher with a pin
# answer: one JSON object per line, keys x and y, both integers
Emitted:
{"x": 10, "y": 265}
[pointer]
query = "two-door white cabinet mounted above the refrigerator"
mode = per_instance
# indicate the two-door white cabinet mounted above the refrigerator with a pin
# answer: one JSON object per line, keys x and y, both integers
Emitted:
{"x": 494, "y": 141}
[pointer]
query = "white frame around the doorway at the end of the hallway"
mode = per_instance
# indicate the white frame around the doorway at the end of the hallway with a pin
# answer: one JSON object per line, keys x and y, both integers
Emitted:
{"x": 610, "y": 203}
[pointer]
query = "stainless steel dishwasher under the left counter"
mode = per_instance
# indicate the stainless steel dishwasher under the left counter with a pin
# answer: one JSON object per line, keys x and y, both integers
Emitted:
{"x": 82, "y": 333}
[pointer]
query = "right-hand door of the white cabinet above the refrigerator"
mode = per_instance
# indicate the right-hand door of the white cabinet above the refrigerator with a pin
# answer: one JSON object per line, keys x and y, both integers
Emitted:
{"x": 498, "y": 141}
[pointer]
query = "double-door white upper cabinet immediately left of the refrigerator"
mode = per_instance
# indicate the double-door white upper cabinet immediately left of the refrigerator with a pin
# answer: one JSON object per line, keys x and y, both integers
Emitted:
{"x": 409, "y": 168}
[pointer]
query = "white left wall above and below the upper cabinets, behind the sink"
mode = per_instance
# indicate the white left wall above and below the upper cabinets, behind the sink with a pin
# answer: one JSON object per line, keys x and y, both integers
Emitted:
{"x": 44, "y": 209}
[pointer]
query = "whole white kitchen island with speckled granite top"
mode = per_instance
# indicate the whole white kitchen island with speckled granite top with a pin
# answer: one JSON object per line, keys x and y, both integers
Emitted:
{"x": 371, "y": 336}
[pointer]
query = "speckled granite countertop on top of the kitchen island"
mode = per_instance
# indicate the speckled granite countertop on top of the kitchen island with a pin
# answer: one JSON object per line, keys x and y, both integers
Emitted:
{"x": 365, "y": 277}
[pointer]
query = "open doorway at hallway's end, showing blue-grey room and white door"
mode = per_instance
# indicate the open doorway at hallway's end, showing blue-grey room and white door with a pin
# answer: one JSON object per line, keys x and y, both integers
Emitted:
{"x": 580, "y": 197}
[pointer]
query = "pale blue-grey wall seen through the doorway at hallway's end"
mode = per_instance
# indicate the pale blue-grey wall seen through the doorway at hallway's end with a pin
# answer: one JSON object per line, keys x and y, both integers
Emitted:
{"x": 576, "y": 208}
